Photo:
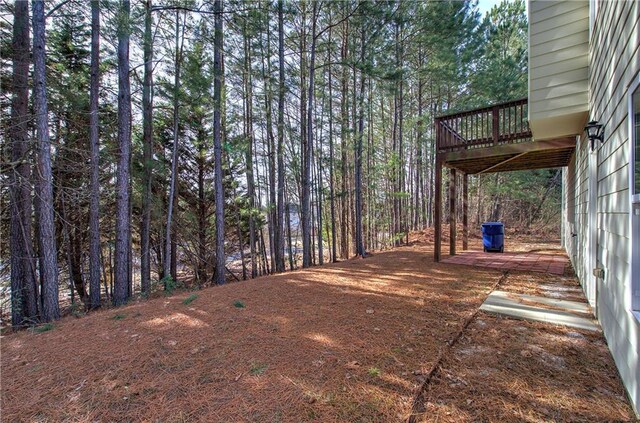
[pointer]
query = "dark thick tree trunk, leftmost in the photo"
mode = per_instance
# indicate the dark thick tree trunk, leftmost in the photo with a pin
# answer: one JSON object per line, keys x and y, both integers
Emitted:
{"x": 24, "y": 287}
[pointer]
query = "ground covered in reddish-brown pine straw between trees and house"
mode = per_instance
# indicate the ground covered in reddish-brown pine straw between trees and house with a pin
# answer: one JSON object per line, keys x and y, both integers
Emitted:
{"x": 353, "y": 341}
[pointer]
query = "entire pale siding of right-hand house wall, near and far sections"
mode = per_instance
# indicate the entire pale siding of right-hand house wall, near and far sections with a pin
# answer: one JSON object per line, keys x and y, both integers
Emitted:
{"x": 614, "y": 58}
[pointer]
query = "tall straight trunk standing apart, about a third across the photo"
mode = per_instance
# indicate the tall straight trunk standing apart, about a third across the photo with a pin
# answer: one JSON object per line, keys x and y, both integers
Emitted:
{"x": 217, "y": 144}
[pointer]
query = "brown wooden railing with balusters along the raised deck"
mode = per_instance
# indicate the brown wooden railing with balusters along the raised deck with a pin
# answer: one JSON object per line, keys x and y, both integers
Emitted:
{"x": 504, "y": 123}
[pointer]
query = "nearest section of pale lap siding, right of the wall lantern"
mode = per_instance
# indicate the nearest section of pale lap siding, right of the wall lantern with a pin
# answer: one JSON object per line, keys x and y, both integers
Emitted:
{"x": 614, "y": 63}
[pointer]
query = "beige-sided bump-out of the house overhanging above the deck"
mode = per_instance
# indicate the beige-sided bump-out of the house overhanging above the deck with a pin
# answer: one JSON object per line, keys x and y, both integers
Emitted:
{"x": 558, "y": 67}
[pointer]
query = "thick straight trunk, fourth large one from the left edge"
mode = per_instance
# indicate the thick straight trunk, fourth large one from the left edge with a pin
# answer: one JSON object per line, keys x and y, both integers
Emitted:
{"x": 123, "y": 218}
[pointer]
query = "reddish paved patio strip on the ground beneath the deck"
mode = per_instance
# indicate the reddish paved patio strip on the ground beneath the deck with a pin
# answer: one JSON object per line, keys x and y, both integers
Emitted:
{"x": 527, "y": 262}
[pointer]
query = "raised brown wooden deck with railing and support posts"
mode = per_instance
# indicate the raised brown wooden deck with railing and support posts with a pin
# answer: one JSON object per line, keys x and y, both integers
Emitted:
{"x": 487, "y": 140}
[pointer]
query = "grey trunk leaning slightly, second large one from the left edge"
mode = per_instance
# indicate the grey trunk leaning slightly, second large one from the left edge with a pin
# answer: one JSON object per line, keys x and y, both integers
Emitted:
{"x": 46, "y": 229}
